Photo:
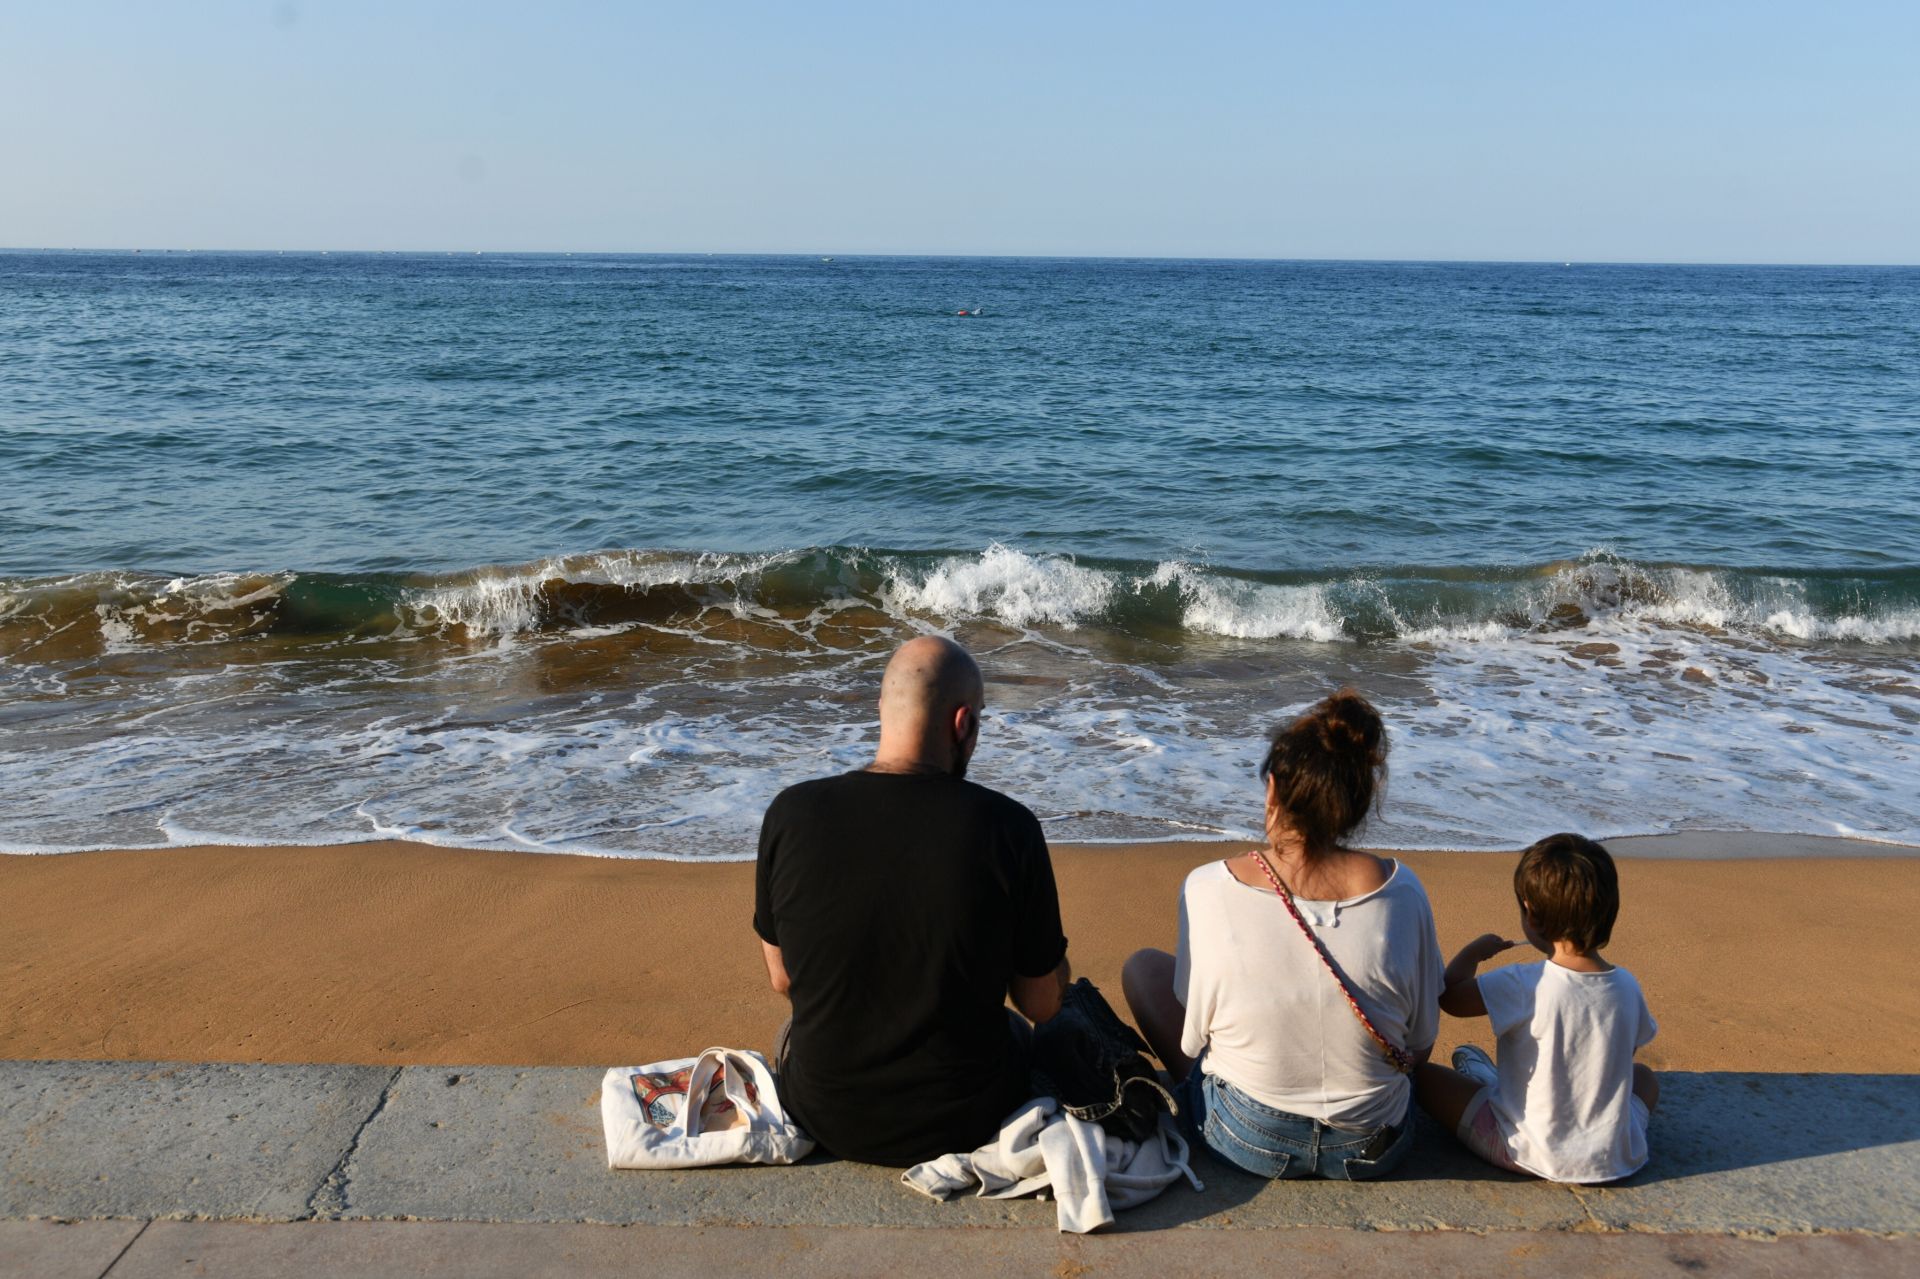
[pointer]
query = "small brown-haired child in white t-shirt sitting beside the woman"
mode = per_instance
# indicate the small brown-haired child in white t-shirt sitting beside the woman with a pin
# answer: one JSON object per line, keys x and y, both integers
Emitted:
{"x": 1566, "y": 1101}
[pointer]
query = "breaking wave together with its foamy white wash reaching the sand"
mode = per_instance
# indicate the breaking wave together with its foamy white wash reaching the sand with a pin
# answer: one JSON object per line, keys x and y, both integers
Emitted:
{"x": 650, "y": 704}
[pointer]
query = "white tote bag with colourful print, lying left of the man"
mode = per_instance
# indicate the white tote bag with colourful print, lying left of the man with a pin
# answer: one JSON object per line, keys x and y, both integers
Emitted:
{"x": 719, "y": 1107}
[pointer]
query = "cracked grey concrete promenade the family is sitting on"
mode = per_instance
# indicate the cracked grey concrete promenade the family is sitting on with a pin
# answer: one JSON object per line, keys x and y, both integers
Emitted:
{"x": 164, "y": 1169}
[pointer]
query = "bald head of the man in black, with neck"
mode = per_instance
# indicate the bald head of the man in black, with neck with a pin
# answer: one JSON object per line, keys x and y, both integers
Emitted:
{"x": 930, "y": 704}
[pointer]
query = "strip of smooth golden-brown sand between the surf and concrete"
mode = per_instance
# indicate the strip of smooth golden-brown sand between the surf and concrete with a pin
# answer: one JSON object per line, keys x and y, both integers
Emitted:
{"x": 398, "y": 953}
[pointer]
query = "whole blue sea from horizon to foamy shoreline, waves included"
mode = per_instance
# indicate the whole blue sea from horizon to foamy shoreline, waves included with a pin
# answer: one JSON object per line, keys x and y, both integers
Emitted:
{"x": 594, "y": 554}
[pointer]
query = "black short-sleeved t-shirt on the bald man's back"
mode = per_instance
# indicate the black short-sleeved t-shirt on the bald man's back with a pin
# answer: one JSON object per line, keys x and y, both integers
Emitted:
{"x": 903, "y": 905}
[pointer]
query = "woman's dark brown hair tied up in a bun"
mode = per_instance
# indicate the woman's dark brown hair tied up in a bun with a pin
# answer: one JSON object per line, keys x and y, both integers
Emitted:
{"x": 1328, "y": 767}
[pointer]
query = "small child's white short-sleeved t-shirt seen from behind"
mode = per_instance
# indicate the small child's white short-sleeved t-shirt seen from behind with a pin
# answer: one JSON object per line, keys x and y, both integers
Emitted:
{"x": 1566, "y": 1069}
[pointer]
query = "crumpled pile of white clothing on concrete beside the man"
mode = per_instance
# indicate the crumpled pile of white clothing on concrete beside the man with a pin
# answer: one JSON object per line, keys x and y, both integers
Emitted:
{"x": 1044, "y": 1147}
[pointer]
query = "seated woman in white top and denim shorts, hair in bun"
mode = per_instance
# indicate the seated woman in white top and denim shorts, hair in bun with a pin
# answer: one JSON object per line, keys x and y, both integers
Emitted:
{"x": 1284, "y": 1073}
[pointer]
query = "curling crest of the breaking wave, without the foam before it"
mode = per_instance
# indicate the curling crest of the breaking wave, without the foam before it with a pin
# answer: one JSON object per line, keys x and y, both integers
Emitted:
{"x": 1166, "y": 600}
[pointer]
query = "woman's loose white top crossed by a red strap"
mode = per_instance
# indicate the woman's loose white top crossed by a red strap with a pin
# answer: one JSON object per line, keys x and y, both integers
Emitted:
{"x": 1274, "y": 1021}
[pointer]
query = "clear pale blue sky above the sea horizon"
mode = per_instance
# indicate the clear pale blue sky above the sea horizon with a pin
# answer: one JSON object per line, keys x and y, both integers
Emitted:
{"x": 1675, "y": 132}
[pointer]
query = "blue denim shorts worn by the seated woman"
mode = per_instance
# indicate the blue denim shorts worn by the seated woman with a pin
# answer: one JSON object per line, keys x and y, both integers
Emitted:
{"x": 1274, "y": 1144}
